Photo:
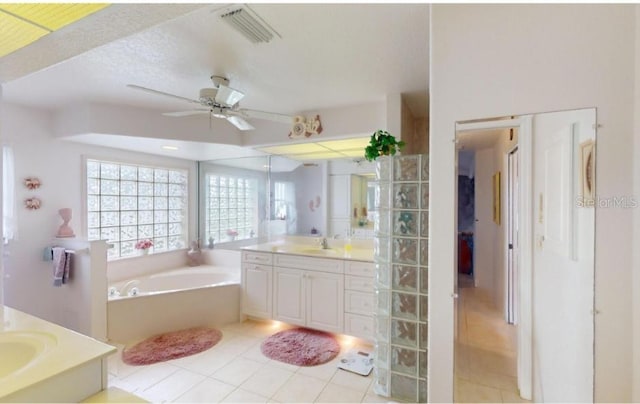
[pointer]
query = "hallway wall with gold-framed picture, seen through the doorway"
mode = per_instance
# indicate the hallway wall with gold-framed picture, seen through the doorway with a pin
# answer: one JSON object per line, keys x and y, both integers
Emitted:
{"x": 483, "y": 239}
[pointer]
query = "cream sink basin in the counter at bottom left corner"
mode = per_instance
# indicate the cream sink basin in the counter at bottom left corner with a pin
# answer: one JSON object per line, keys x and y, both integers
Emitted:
{"x": 20, "y": 348}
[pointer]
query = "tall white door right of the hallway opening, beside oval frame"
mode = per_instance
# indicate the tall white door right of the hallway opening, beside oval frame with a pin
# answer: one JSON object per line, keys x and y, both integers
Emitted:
{"x": 563, "y": 272}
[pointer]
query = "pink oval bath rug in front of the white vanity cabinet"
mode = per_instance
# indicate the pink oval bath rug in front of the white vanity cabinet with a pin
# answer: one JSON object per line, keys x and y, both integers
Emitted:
{"x": 301, "y": 346}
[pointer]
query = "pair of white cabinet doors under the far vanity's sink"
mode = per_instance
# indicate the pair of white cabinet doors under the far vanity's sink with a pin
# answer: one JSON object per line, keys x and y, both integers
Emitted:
{"x": 309, "y": 291}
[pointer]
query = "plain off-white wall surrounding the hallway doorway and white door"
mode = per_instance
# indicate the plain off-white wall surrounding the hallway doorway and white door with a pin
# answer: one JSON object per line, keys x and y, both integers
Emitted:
{"x": 497, "y": 60}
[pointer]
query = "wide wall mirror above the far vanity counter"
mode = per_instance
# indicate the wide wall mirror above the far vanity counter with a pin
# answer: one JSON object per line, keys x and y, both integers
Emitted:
{"x": 252, "y": 199}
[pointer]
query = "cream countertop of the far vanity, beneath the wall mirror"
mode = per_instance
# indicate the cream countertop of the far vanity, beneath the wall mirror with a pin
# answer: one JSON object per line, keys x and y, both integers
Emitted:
{"x": 356, "y": 254}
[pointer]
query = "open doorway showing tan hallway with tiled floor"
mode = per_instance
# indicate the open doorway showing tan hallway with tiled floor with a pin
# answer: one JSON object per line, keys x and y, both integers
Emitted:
{"x": 486, "y": 344}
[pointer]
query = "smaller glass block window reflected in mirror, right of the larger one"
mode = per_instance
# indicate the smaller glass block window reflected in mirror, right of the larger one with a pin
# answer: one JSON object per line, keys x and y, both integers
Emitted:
{"x": 231, "y": 207}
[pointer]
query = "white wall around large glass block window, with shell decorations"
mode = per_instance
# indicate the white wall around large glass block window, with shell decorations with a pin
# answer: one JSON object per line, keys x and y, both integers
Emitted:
{"x": 58, "y": 164}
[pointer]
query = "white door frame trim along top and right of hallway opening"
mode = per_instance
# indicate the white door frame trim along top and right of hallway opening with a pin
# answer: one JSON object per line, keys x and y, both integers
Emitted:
{"x": 525, "y": 290}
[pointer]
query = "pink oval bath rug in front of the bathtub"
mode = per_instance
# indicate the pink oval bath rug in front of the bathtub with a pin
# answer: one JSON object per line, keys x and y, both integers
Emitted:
{"x": 171, "y": 345}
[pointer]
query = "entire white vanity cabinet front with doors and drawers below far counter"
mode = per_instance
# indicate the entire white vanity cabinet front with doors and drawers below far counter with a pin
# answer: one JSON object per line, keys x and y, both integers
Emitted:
{"x": 328, "y": 294}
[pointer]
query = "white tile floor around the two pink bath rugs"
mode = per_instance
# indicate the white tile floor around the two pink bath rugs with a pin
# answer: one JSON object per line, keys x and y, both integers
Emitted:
{"x": 236, "y": 371}
